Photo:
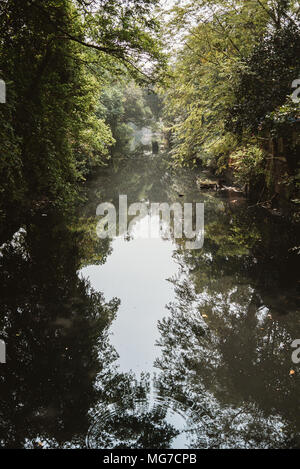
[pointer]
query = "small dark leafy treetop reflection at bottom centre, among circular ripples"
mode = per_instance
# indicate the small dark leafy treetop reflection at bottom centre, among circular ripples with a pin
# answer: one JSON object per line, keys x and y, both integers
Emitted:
{"x": 126, "y": 419}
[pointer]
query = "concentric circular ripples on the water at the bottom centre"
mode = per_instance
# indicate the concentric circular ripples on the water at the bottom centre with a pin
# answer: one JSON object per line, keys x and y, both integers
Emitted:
{"x": 157, "y": 422}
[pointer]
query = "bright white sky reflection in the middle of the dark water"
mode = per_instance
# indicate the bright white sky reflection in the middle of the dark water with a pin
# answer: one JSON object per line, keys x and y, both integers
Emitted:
{"x": 137, "y": 273}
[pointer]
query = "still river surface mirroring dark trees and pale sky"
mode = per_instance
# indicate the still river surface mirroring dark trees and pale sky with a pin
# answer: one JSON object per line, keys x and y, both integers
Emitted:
{"x": 196, "y": 355}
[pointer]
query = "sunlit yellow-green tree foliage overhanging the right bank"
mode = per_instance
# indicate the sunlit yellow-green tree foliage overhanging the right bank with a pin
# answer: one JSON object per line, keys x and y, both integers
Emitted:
{"x": 231, "y": 85}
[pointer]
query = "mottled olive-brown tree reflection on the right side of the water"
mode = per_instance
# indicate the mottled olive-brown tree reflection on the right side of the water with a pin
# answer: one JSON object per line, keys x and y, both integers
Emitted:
{"x": 226, "y": 343}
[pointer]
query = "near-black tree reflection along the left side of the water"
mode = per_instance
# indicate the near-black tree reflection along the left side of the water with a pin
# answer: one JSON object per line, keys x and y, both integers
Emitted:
{"x": 53, "y": 323}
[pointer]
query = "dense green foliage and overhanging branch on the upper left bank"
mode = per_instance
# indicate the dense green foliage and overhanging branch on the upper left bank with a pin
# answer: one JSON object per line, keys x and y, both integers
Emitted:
{"x": 56, "y": 57}
